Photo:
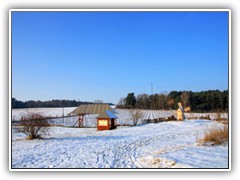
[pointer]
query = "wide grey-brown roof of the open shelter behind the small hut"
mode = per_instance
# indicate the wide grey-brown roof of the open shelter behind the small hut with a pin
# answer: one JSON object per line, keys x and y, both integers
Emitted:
{"x": 92, "y": 109}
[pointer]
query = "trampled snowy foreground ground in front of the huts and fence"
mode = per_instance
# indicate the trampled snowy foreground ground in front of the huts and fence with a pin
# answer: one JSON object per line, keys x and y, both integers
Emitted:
{"x": 160, "y": 145}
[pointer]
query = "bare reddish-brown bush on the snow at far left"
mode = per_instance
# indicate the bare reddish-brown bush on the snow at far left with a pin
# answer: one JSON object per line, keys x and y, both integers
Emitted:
{"x": 34, "y": 125}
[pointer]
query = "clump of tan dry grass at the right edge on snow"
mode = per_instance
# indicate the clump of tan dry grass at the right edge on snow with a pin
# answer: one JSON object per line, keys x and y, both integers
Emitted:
{"x": 215, "y": 136}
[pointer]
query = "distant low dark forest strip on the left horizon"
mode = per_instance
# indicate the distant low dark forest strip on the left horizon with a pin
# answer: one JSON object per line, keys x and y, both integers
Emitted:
{"x": 53, "y": 103}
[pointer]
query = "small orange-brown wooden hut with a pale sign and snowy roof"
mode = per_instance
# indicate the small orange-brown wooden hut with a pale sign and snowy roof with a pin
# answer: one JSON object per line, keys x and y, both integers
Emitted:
{"x": 106, "y": 121}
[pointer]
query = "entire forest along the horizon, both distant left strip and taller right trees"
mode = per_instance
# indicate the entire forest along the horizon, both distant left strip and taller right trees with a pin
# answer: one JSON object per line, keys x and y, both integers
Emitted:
{"x": 204, "y": 101}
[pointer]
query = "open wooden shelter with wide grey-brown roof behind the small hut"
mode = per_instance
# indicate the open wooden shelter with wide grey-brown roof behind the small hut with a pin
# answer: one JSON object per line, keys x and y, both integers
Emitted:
{"x": 84, "y": 109}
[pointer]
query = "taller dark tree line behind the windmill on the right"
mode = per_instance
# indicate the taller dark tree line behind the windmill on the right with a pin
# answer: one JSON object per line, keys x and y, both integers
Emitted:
{"x": 204, "y": 101}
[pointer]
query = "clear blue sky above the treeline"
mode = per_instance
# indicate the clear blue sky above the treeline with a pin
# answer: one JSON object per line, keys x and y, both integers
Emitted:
{"x": 105, "y": 55}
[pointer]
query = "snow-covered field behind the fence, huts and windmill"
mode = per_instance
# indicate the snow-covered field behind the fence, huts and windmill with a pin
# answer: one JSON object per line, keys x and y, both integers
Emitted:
{"x": 124, "y": 116}
